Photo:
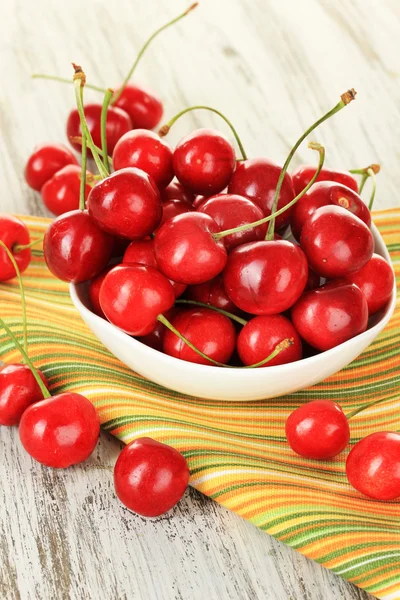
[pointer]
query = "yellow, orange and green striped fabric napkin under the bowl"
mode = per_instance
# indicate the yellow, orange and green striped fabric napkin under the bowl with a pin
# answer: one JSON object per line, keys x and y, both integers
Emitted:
{"x": 237, "y": 452}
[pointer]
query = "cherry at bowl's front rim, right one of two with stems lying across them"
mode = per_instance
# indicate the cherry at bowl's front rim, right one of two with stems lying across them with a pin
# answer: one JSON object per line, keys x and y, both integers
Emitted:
{"x": 260, "y": 336}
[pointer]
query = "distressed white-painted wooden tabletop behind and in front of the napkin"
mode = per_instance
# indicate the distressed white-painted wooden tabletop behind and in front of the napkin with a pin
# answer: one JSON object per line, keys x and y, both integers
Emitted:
{"x": 273, "y": 66}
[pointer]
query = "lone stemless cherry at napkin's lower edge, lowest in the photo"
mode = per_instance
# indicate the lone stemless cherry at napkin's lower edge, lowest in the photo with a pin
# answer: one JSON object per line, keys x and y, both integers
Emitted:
{"x": 150, "y": 477}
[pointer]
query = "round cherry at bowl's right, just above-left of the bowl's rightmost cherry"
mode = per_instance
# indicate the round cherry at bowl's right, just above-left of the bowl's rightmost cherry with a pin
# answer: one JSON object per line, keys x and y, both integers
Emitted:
{"x": 336, "y": 242}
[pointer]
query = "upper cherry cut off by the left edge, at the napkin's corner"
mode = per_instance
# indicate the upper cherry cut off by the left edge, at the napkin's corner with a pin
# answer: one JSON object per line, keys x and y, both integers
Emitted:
{"x": 13, "y": 232}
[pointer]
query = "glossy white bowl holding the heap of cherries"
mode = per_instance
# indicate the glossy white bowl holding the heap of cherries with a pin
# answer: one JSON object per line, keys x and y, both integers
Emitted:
{"x": 230, "y": 384}
